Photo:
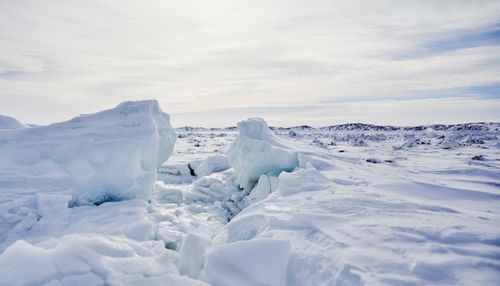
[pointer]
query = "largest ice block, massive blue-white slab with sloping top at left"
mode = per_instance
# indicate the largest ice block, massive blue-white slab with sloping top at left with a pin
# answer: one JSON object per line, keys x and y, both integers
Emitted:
{"x": 107, "y": 156}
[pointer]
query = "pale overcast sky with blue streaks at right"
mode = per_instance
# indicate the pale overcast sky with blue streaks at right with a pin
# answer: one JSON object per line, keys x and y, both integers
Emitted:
{"x": 214, "y": 63}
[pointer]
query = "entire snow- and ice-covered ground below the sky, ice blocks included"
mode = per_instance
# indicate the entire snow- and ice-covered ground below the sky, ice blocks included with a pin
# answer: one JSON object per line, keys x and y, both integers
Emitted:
{"x": 349, "y": 204}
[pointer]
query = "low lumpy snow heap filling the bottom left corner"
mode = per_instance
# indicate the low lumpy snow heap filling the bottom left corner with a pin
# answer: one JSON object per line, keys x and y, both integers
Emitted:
{"x": 90, "y": 260}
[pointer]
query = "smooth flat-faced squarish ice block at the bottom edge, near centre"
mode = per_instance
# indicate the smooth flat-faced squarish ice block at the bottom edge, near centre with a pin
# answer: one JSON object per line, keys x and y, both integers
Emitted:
{"x": 253, "y": 262}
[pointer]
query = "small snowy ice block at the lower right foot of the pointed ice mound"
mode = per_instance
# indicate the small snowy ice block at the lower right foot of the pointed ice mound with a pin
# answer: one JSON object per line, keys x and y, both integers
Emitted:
{"x": 302, "y": 180}
